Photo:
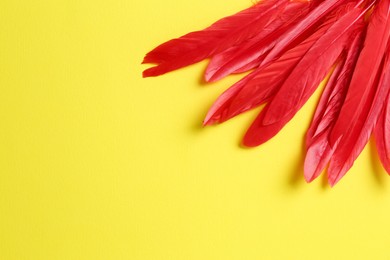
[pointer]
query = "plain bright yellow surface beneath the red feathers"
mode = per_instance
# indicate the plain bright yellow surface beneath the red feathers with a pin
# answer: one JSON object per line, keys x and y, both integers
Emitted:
{"x": 98, "y": 163}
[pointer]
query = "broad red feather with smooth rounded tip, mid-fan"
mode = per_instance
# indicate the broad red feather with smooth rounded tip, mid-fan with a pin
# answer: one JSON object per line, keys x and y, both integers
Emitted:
{"x": 304, "y": 79}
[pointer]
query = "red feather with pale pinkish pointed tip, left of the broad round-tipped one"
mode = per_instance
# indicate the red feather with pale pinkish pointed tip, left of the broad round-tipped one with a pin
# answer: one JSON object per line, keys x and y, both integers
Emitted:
{"x": 259, "y": 86}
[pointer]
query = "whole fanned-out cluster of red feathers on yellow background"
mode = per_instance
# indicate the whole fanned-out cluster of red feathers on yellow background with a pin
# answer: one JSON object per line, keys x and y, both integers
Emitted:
{"x": 290, "y": 46}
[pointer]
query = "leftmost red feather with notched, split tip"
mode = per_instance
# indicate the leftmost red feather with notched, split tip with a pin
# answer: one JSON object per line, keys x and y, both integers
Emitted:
{"x": 196, "y": 46}
